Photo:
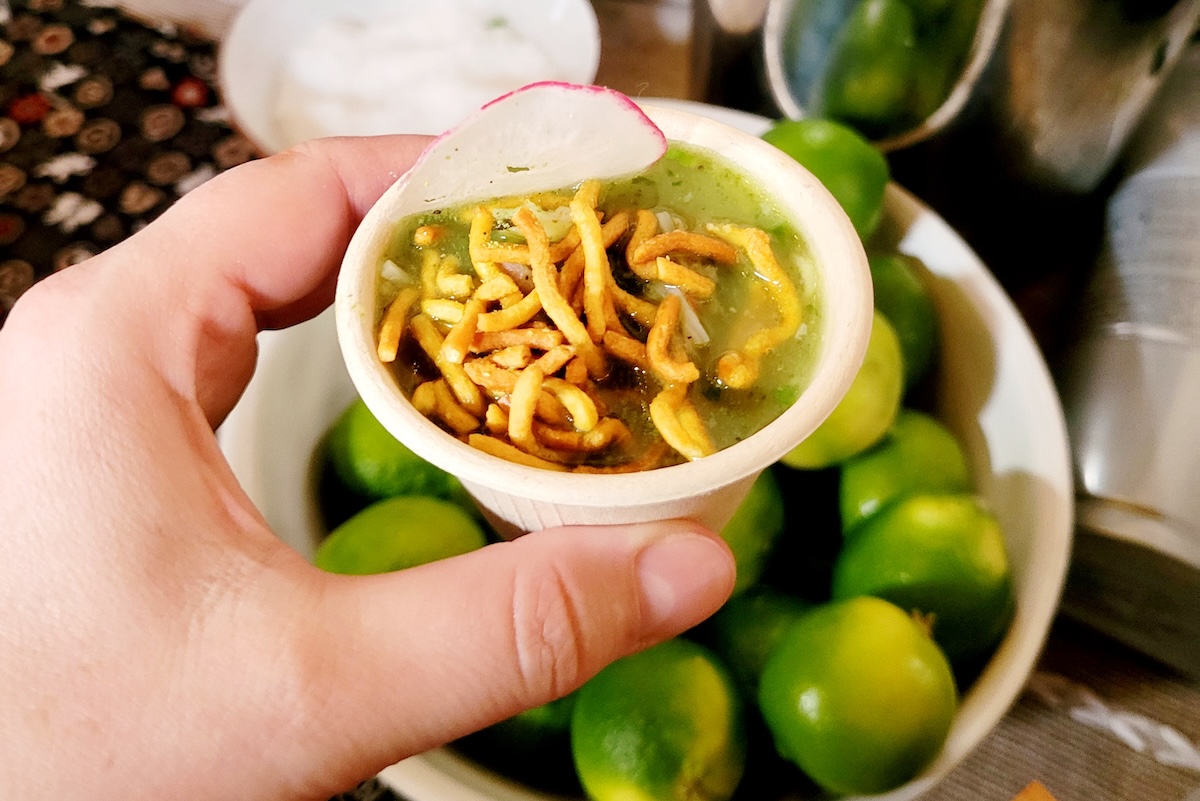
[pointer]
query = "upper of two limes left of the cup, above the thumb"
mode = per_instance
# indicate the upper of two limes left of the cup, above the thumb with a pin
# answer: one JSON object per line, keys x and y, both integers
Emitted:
{"x": 373, "y": 462}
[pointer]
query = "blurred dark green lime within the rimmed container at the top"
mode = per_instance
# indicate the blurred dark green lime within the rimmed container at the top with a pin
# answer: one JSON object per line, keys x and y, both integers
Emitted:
{"x": 871, "y": 73}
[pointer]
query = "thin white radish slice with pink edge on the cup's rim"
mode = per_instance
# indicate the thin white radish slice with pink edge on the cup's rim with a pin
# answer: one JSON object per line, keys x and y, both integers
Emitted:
{"x": 542, "y": 137}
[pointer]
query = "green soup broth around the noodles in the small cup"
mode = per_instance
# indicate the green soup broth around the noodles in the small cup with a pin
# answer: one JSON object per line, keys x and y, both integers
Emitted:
{"x": 694, "y": 188}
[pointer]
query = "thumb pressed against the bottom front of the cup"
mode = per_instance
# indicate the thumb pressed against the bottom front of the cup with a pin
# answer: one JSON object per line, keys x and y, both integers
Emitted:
{"x": 437, "y": 652}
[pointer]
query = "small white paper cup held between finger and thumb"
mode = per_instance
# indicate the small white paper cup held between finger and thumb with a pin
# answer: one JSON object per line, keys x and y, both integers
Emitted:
{"x": 518, "y": 498}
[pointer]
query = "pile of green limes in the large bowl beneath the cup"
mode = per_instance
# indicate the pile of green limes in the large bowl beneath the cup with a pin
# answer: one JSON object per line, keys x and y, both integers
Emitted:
{"x": 873, "y": 583}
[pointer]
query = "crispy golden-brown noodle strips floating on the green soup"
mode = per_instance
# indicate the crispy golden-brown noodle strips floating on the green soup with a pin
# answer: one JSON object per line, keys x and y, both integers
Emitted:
{"x": 523, "y": 336}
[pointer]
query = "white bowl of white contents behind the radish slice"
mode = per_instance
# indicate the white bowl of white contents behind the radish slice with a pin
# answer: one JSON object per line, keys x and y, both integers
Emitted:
{"x": 370, "y": 91}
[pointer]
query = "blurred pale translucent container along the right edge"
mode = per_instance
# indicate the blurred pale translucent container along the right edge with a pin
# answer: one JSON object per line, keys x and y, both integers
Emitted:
{"x": 1132, "y": 387}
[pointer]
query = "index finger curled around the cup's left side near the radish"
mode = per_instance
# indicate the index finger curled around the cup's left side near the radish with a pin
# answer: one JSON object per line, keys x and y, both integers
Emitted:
{"x": 277, "y": 228}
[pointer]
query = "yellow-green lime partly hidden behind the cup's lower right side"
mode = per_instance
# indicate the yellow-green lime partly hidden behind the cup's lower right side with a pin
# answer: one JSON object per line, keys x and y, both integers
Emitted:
{"x": 868, "y": 411}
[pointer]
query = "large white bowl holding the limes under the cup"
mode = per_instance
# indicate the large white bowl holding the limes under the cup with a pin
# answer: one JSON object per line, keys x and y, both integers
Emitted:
{"x": 995, "y": 394}
